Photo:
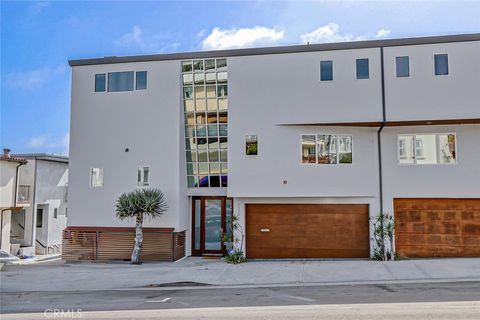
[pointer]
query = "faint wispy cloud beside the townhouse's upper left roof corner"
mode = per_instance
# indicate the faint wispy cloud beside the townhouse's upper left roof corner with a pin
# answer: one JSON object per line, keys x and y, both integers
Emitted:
{"x": 33, "y": 78}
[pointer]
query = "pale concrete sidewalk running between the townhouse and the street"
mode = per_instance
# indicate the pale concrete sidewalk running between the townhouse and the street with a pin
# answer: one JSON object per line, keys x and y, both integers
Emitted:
{"x": 192, "y": 271}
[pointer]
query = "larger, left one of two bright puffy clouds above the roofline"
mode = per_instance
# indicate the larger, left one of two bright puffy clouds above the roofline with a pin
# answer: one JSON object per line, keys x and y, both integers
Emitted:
{"x": 241, "y": 38}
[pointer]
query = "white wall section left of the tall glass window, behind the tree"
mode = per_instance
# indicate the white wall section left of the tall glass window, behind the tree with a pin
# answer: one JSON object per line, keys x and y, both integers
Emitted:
{"x": 148, "y": 122}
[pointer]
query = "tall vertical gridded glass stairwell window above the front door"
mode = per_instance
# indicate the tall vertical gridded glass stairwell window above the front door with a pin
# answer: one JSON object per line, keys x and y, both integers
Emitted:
{"x": 205, "y": 106}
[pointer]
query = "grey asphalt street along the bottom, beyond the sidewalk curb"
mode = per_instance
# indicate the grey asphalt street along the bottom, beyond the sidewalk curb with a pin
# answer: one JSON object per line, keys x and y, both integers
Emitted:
{"x": 441, "y": 294}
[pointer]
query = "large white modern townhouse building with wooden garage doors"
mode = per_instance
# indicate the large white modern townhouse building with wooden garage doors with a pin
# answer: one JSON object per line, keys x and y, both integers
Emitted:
{"x": 302, "y": 143}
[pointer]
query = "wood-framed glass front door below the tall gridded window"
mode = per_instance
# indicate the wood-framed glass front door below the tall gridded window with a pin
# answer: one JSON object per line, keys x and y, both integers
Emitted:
{"x": 209, "y": 221}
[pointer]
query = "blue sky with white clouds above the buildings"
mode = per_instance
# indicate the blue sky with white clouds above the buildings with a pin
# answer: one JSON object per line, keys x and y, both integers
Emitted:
{"x": 39, "y": 37}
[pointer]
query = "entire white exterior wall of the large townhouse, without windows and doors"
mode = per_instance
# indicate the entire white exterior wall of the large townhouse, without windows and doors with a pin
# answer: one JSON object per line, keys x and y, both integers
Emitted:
{"x": 265, "y": 93}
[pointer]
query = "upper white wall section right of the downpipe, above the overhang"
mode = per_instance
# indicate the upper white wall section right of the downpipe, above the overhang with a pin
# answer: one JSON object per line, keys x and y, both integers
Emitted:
{"x": 426, "y": 96}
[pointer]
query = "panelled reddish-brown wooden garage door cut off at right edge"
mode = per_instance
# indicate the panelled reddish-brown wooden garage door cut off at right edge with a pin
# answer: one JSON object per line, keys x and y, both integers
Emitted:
{"x": 437, "y": 227}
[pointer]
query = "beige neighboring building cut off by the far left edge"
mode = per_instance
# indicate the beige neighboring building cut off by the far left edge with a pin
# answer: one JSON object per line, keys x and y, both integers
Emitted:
{"x": 9, "y": 168}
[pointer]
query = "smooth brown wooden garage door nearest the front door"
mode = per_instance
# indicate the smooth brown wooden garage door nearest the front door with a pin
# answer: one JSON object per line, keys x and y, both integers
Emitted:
{"x": 307, "y": 231}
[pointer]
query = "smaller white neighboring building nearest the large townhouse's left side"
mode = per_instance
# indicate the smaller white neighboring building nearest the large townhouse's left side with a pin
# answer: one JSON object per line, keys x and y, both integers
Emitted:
{"x": 43, "y": 187}
